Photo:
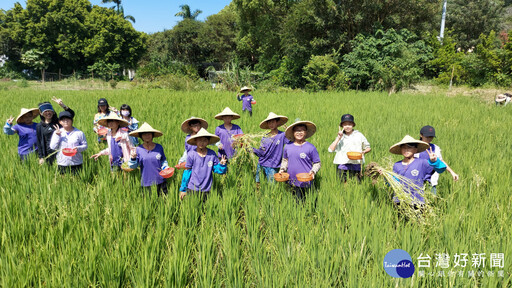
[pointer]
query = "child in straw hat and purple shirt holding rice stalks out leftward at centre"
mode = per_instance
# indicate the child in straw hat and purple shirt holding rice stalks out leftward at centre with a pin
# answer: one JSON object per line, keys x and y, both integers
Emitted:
{"x": 270, "y": 152}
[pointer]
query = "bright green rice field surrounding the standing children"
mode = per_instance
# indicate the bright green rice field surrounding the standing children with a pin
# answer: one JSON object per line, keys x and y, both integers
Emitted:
{"x": 97, "y": 230}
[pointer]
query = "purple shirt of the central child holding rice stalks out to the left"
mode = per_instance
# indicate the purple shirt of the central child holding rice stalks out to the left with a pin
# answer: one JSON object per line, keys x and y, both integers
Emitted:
{"x": 271, "y": 150}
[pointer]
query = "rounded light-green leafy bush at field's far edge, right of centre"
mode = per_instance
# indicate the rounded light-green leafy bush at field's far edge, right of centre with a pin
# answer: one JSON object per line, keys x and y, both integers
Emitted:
{"x": 389, "y": 60}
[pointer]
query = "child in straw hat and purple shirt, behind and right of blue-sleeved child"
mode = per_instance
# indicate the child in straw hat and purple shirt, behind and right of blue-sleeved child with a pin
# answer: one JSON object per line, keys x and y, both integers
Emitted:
{"x": 226, "y": 132}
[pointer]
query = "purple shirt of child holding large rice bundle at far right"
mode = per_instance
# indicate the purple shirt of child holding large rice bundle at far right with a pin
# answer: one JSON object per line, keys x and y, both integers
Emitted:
{"x": 418, "y": 172}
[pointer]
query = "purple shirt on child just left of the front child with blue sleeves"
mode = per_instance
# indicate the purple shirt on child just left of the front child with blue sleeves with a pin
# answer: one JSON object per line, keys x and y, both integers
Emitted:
{"x": 150, "y": 163}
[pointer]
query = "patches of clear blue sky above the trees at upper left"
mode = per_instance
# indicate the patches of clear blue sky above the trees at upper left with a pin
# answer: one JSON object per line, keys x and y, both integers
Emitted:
{"x": 153, "y": 15}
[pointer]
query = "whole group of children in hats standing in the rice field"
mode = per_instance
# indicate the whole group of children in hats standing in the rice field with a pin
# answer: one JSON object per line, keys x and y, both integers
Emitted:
{"x": 280, "y": 151}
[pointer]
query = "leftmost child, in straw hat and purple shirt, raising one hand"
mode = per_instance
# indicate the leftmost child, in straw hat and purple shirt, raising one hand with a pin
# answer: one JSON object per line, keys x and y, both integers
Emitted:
{"x": 26, "y": 130}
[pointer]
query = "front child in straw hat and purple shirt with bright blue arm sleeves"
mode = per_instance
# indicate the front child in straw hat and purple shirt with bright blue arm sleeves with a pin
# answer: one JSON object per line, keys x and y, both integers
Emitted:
{"x": 201, "y": 162}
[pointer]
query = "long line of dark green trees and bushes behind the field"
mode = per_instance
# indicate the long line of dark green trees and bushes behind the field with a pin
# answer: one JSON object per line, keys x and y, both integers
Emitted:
{"x": 311, "y": 44}
